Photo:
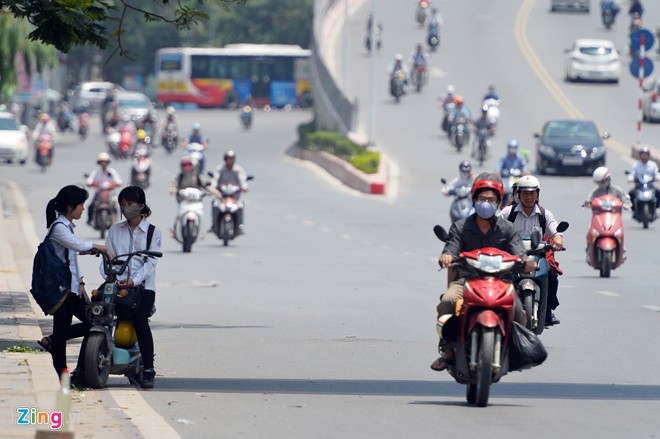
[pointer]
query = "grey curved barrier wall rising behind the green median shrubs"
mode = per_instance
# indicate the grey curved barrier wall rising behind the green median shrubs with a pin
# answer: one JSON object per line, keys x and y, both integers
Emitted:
{"x": 333, "y": 110}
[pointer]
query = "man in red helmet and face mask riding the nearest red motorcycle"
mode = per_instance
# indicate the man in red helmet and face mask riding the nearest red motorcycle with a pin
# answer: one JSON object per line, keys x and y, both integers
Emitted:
{"x": 481, "y": 229}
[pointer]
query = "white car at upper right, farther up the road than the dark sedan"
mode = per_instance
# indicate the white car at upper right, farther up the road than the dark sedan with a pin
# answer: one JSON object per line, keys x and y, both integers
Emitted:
{"x": 593, "y": 60}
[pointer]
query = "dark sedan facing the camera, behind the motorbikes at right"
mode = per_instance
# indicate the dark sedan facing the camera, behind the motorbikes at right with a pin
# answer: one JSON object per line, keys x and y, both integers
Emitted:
{"x": 569, "y": 146}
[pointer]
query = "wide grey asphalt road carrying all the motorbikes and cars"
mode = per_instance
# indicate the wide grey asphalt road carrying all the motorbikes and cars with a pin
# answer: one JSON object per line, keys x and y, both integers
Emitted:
{"x": 320, "y": 322}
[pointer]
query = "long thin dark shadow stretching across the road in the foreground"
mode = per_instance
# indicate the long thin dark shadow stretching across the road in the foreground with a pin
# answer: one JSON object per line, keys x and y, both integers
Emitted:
{"x": 408, "y": 388}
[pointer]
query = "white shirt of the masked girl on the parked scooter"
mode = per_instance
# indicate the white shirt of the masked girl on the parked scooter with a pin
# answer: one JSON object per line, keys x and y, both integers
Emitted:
{"x": 121, "y": 241}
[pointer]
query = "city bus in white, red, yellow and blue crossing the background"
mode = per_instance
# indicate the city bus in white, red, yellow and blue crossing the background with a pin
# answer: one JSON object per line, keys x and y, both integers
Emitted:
{"x": 274, "y": 75}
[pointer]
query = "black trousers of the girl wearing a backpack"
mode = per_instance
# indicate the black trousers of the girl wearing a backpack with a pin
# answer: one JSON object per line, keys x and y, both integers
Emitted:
{"x": 63, "y": 330}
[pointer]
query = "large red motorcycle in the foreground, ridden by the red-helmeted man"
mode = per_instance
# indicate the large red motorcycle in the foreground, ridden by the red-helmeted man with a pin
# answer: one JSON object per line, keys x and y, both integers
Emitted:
{"x": 480, "y": 333}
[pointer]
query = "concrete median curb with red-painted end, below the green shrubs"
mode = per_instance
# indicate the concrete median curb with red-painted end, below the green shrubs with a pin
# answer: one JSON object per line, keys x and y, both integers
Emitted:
{"x": 373, "y": 184}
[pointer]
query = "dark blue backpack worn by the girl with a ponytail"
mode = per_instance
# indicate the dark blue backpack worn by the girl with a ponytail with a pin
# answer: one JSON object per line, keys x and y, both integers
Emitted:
{"x": 51, "y": 277}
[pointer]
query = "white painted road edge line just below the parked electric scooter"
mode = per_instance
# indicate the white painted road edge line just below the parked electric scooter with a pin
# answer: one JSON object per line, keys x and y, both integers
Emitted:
{"x": 150, "y": 423}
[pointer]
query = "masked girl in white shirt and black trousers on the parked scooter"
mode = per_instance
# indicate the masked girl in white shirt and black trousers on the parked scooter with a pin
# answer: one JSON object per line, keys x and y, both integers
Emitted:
{"x": 126, "y": 237}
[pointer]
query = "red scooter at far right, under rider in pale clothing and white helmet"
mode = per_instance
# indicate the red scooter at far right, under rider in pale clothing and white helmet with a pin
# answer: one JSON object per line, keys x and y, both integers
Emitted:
{"x": 605, "y": 251}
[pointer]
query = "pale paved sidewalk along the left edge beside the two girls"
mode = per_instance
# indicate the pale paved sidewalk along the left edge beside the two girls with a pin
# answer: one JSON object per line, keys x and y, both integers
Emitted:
{"x": 28, "y": 379}
